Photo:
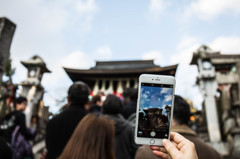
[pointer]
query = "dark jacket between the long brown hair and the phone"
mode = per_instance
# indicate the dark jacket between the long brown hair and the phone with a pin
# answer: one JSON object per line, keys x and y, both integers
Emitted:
{"x": 124, "y": 145}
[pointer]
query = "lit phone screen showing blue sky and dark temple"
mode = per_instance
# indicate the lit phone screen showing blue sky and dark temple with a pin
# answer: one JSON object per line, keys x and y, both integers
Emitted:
{"x": 154, "y": 110}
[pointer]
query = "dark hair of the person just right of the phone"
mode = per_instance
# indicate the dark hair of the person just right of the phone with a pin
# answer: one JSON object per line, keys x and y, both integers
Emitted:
{"x": 181, "y": 111}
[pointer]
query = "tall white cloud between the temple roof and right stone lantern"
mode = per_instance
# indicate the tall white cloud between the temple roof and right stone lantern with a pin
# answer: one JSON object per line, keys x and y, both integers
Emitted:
{"x": 186, "y": 73}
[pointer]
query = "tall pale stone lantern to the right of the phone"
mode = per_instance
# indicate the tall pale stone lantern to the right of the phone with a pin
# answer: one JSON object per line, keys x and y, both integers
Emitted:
{"x": 208, "y": 86}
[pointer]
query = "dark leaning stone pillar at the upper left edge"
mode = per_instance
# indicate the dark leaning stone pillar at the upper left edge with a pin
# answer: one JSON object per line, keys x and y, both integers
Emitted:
{"x": 7, "y": 29}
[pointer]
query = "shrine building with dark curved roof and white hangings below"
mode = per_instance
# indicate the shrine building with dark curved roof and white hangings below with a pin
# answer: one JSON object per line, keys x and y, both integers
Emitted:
{"x": 115, "y": 76}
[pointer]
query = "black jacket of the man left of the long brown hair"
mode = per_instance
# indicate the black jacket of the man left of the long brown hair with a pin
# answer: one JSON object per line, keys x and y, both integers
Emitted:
{"x": 60, "y": 129}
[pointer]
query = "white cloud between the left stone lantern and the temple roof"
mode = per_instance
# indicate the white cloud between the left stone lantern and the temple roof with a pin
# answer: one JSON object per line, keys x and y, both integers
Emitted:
{"x": 58, "y": 82}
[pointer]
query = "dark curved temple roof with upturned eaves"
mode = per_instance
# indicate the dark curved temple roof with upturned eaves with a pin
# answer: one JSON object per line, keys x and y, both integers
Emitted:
{"x": 118, "y": 69}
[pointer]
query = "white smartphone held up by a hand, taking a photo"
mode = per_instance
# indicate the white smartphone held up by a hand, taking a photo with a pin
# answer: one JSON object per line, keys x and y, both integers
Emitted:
{"x": 154, "y": 109}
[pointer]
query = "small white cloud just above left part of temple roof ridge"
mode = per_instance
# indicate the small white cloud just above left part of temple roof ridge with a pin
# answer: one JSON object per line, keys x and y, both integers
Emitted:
{"x": 103, "y": 53}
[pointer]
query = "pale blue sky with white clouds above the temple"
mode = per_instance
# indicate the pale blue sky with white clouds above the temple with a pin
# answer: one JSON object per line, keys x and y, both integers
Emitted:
{"x": 76, "y": 33}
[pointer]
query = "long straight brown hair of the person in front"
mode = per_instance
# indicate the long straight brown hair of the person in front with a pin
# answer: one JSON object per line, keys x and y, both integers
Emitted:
{"x": 92, "y": 139}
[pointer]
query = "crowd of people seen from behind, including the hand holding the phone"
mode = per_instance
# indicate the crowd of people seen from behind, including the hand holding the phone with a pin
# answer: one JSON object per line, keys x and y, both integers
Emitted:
{"x": 103, "y": 130}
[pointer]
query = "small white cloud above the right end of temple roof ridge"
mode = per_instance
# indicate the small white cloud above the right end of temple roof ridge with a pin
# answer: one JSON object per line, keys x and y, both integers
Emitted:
{"x": 154, "y": 55}
